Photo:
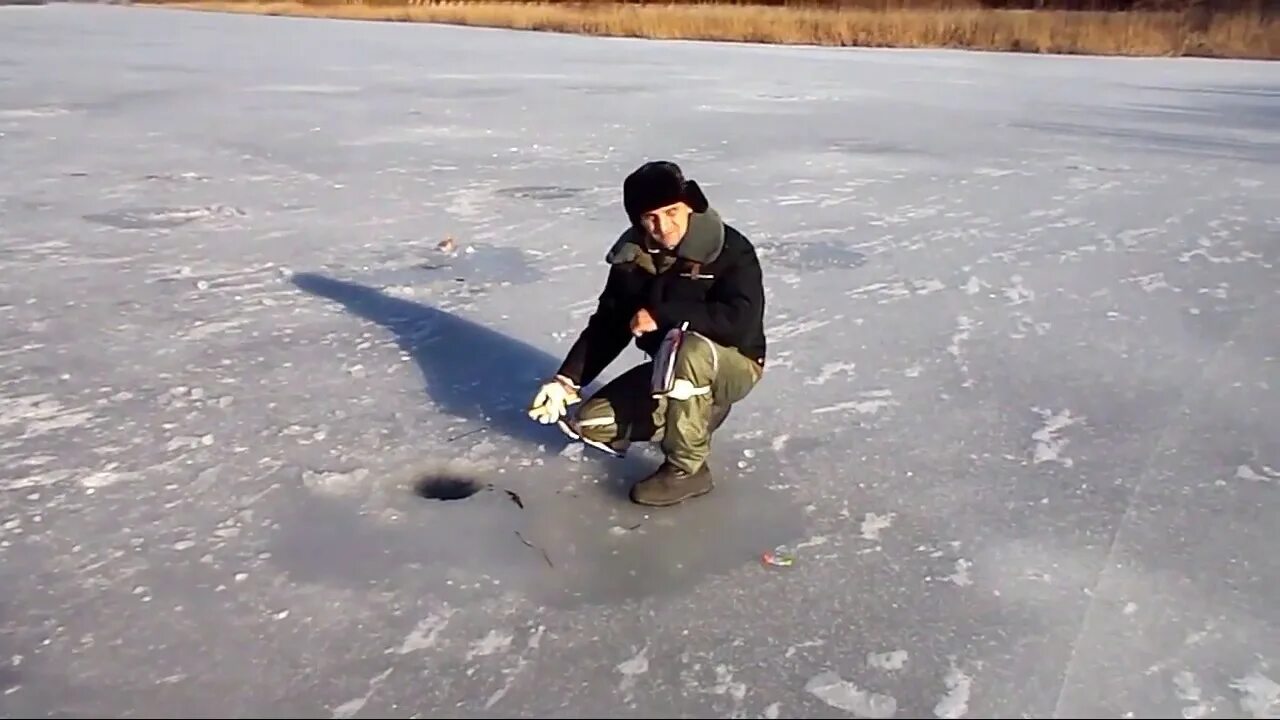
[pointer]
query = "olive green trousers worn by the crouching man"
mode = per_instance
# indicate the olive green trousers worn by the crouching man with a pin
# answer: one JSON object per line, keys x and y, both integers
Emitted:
{"x": 625, "y": 411}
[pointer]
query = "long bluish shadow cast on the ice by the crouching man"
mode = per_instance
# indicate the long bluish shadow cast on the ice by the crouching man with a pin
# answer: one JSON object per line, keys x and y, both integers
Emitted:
{"x": 472, "y": 372}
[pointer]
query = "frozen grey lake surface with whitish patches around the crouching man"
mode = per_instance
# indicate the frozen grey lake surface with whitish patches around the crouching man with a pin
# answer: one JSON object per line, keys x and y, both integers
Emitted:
{"x": 1020, "y": 423}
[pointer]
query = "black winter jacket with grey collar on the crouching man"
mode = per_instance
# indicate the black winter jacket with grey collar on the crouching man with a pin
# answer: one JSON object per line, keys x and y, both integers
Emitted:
{"x": 714, "y": 284}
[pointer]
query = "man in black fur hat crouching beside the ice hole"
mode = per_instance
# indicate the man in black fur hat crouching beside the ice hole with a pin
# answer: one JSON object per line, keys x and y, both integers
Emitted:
{"x": 689, "y": 289}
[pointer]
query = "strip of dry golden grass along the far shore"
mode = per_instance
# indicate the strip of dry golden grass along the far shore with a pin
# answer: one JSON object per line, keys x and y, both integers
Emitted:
{"x": 1236, "y": 35}
